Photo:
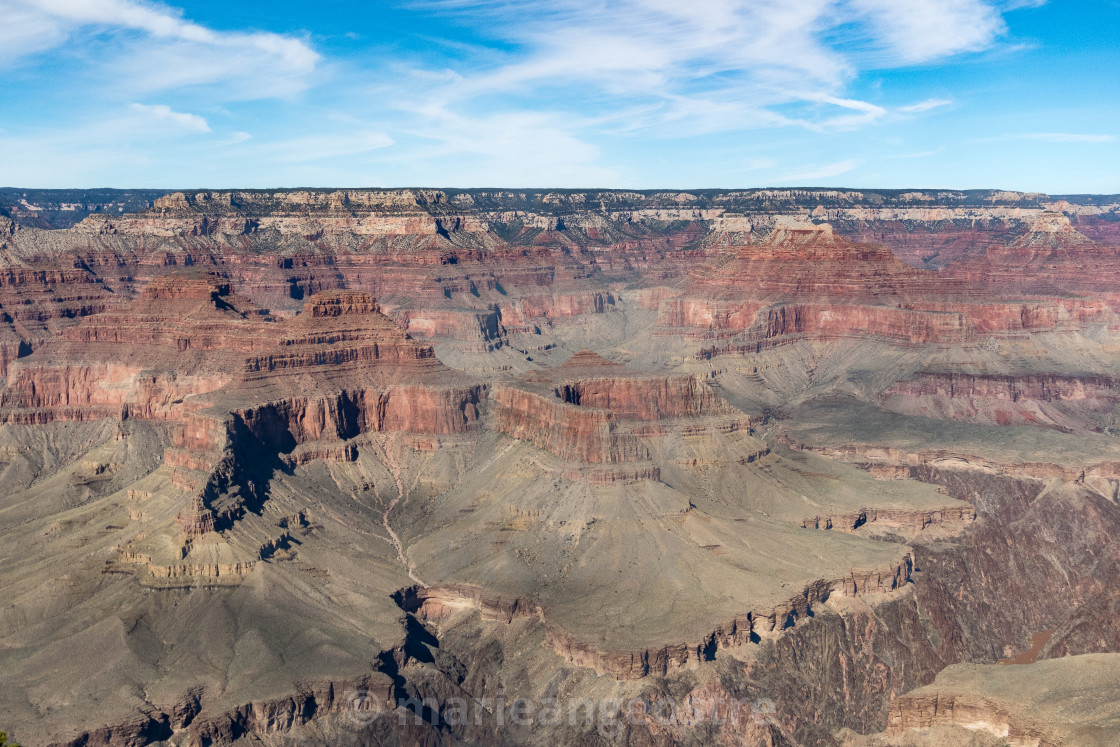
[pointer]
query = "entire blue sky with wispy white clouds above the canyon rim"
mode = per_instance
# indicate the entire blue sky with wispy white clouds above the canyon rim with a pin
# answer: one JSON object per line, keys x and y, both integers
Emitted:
{"x": 1014, "y": 95}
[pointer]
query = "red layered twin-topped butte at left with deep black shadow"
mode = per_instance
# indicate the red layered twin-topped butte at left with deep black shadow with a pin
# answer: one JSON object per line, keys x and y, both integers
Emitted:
{"x": 338, "y": 370}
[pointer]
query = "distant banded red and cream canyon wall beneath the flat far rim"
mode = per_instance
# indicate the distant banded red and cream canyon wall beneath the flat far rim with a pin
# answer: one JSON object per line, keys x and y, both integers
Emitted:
{"x": 479, "y": 269}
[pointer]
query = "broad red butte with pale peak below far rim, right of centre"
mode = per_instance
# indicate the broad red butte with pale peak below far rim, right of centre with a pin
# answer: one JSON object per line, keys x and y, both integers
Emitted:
{"x": 808, "y": 283}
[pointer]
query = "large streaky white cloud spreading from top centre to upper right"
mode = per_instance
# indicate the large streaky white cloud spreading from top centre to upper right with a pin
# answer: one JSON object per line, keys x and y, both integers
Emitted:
{"x": 705, "y": 67}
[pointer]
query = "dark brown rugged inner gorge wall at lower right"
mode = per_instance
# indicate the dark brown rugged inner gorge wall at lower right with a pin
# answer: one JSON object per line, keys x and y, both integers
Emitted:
{"x": 958, "y": 613}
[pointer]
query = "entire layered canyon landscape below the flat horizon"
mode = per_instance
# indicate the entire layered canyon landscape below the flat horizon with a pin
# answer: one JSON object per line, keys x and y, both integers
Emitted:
{"x": 394, "y": 468}
